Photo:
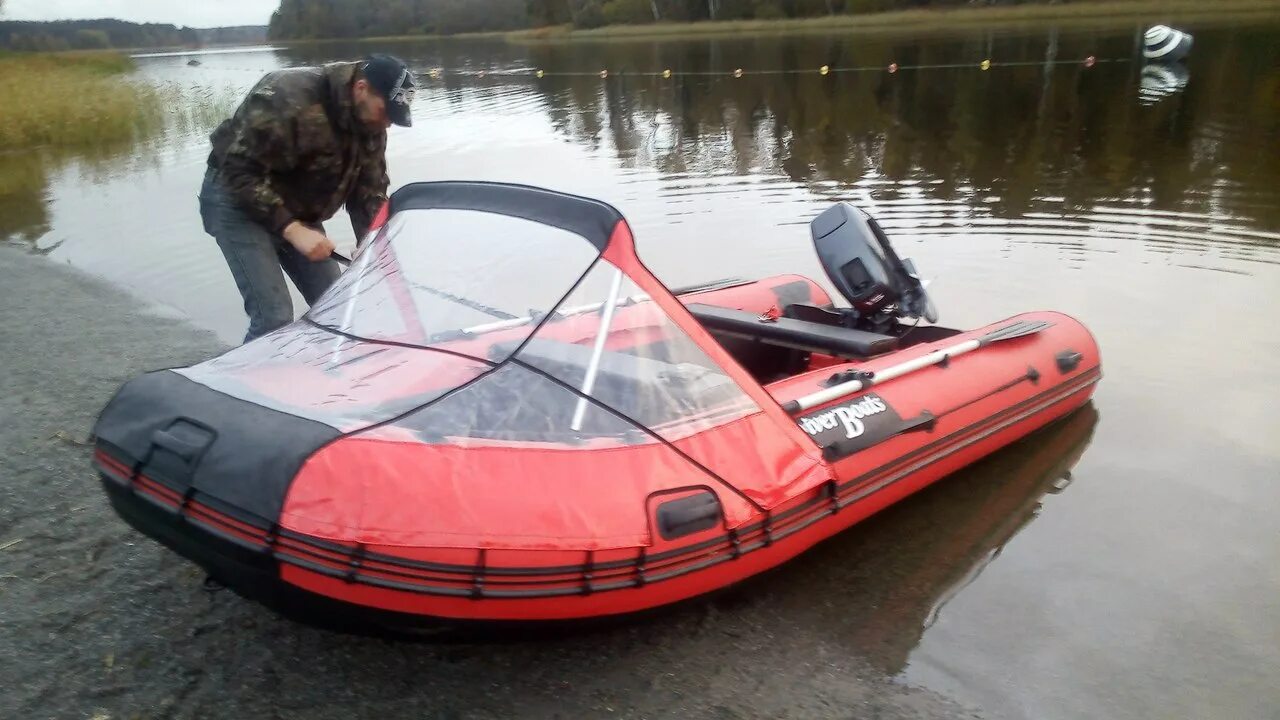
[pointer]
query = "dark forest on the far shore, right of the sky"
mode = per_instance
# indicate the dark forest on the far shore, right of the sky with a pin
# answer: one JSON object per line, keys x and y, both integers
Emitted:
{"x": 364, "y": 19}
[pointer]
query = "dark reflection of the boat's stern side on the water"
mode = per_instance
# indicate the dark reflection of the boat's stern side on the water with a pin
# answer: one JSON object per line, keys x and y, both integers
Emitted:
{"x": 883, "y": 585}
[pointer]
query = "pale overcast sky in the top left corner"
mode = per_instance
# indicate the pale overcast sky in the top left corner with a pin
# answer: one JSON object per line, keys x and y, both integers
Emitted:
{"x": 191, "y": 13}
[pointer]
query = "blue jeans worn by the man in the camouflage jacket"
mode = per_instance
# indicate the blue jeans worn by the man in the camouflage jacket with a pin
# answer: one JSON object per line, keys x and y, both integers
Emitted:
{"x": 257, "y": 258}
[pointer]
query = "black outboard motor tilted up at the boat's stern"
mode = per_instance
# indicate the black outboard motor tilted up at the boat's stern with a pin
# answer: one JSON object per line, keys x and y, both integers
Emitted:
{"x": 861, "y": 262}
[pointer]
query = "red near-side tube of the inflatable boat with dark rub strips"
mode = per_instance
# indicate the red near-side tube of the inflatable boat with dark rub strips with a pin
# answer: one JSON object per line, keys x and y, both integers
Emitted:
{"x": 982, "y": 402}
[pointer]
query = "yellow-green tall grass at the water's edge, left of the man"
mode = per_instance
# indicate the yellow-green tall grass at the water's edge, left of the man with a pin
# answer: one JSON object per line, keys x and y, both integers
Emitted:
{"x": 74, "y": 101}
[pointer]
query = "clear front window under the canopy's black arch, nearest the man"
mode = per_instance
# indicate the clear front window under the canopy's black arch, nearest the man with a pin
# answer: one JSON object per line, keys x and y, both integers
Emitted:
{"x": 440, "y": 277}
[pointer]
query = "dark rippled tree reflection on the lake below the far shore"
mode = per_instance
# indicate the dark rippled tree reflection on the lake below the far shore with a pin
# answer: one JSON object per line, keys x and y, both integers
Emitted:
{"x": 1041, "y": 149}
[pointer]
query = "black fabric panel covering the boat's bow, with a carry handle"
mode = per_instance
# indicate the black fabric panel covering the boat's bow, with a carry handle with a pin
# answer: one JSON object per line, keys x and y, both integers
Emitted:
{"x": 191, "y": 438}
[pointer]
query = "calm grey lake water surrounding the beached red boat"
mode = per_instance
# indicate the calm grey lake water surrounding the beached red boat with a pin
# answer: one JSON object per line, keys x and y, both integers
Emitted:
{"x": 1123, "y": 566}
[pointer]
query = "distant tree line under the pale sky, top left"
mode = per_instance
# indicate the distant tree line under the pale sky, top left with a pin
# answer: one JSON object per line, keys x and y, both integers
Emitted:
{"x": 107, "y": 34}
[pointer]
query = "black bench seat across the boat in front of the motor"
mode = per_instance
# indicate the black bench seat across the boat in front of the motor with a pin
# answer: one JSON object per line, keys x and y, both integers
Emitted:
{"x": 792, "y": 332}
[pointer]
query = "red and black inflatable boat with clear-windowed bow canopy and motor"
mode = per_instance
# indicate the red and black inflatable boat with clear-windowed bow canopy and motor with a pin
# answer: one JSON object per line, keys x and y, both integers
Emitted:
{"x": 500, "y": 416}
